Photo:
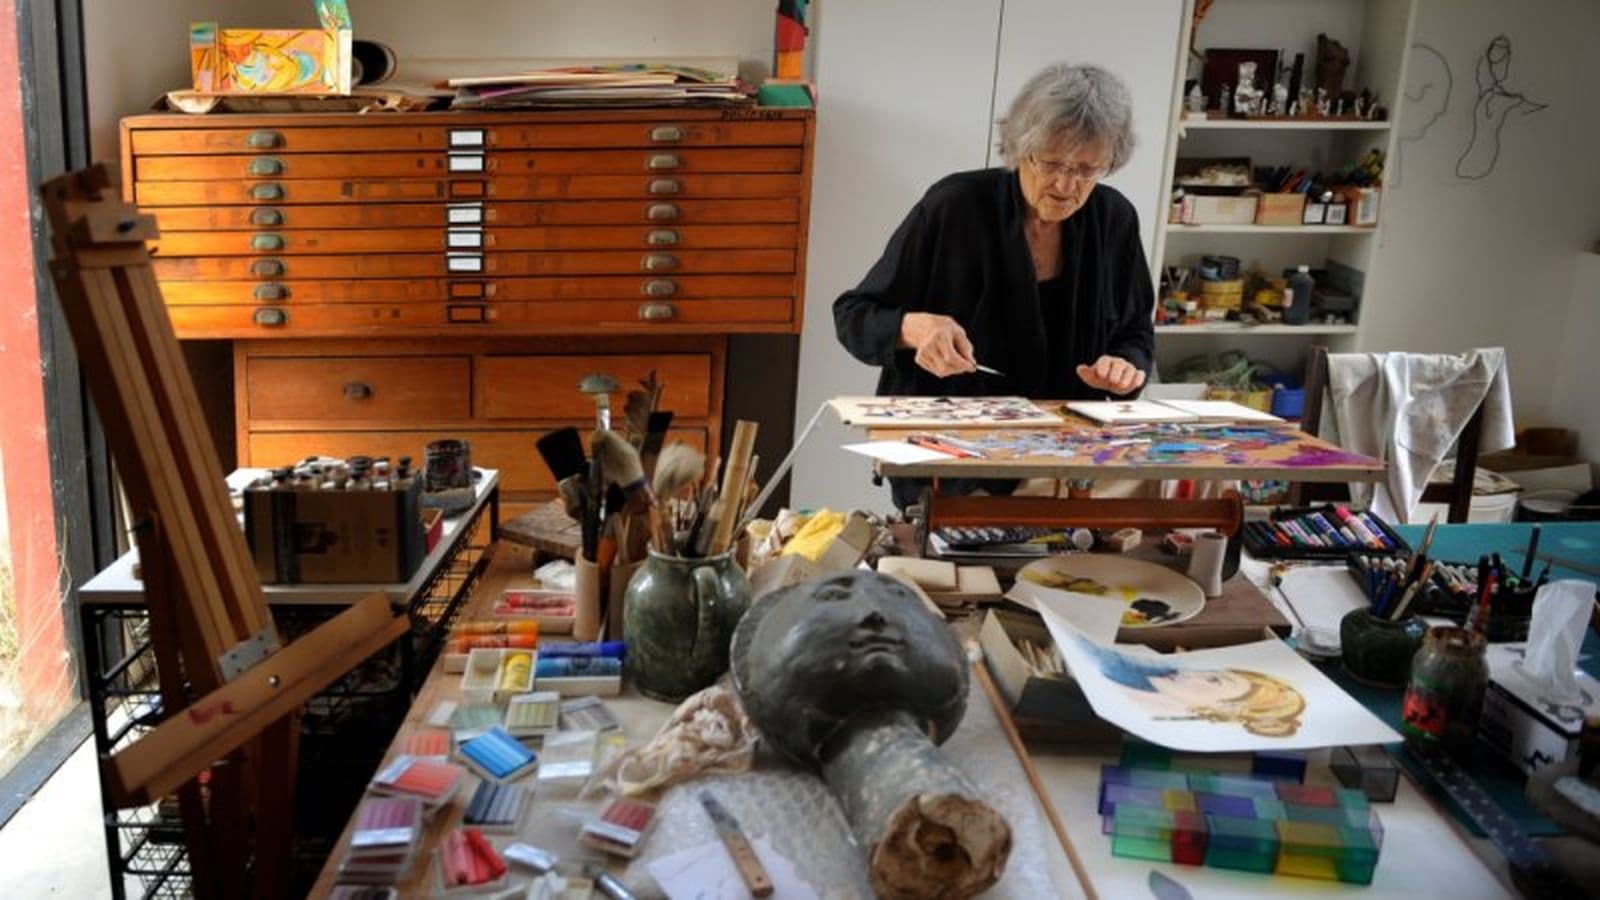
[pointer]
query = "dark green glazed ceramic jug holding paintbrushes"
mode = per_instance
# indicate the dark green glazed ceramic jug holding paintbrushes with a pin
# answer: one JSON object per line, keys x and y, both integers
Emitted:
{"x": 681, "y": 616}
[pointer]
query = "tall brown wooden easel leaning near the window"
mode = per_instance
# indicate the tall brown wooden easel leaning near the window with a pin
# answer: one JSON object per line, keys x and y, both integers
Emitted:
{"x": 230, "y": 691}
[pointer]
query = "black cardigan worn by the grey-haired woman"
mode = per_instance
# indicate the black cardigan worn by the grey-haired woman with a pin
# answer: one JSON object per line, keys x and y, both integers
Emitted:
{"x": 962, "y": 254}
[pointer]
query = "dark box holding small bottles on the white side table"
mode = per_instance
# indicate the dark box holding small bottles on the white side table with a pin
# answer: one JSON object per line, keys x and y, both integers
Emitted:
{"x": 335, "y": 537}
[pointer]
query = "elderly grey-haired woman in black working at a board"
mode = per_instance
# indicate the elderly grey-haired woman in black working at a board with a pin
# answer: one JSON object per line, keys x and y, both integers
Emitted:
{"x": 1033, "y": 270}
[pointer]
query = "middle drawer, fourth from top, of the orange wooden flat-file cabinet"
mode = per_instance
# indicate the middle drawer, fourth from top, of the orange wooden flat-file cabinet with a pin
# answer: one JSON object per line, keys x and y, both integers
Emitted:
{"x": 441, "y": 215}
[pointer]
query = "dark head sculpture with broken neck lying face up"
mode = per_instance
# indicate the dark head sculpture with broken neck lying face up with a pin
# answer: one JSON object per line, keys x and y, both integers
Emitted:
{"x": 852, "y": 675}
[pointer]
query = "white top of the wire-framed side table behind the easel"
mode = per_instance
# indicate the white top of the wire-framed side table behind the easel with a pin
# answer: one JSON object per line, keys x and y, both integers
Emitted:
{"x": 116, "y": 585}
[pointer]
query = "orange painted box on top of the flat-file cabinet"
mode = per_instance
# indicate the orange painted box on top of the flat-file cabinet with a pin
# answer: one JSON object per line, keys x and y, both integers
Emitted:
{"x": 274, "y": 62}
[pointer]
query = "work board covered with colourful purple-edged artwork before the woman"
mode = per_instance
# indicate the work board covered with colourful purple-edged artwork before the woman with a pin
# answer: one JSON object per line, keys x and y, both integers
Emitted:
{"x": 1081, "y": 449}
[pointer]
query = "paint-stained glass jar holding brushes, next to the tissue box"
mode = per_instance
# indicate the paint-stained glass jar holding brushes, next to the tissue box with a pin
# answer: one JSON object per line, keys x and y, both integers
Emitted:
{"x": 1446, "y": 694}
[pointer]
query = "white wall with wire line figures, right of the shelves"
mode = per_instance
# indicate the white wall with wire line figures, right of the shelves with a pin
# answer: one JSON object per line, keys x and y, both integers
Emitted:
{"x": 1492, "y": 262}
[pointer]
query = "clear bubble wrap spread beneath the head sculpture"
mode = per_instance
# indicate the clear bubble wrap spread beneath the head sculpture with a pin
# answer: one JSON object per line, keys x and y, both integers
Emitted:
{"x": 796, "y": 811}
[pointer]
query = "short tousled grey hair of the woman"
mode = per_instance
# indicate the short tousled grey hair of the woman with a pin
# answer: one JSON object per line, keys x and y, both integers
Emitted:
{"x": 1070, "y": 103}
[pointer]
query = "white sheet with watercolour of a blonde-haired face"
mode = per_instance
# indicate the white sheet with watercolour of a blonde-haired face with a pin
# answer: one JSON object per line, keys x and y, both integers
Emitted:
{"x": 1228, "y": 699}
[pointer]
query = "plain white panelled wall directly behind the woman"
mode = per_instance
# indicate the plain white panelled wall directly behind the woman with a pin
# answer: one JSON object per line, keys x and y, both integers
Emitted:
{"x": 910, "y": 94}
